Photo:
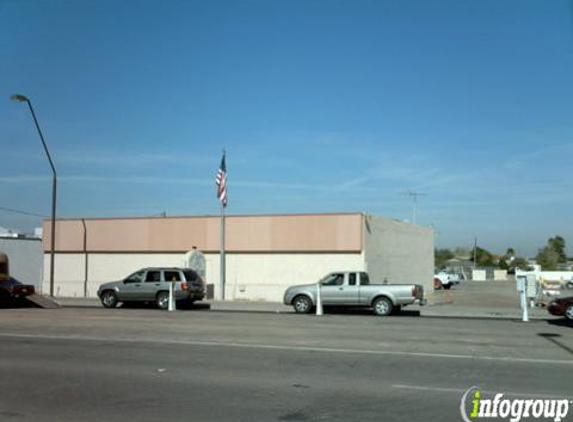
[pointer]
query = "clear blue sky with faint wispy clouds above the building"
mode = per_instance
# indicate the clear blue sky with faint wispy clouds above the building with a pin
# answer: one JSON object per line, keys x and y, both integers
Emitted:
{"x": 322, "y": 106}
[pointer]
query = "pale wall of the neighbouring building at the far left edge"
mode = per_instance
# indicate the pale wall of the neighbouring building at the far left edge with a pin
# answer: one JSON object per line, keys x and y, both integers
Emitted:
{"x": 25, "y": 257}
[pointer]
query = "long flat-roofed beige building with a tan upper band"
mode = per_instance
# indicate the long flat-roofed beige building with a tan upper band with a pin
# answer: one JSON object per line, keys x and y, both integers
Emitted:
{"x": 264, "y": 253}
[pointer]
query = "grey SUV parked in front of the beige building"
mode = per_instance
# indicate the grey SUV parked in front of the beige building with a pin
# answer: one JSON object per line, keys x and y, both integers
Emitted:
{"x": 152, "y": 285}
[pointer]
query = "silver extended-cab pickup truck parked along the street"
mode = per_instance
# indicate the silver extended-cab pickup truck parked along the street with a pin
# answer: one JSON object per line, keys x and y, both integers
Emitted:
{"x": 354, "y": 289}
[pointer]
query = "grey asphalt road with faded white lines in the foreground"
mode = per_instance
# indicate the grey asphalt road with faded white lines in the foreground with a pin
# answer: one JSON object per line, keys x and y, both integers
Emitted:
{"x": 147, "y": 365}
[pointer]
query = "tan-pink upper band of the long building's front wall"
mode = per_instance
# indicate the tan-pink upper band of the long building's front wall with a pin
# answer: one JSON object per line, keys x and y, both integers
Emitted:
{"x": 264, "y": 233}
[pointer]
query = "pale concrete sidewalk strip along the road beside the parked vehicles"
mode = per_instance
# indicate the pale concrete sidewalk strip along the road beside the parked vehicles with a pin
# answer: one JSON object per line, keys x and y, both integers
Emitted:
{"x": 438, "y": 310}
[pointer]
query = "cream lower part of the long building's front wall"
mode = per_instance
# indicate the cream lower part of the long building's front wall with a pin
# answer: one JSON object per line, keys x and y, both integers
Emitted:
{"x": 250, "y": 276}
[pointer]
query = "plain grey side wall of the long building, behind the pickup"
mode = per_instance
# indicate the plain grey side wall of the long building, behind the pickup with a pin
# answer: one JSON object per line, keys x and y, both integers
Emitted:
{"x": 398, "y": 252}
